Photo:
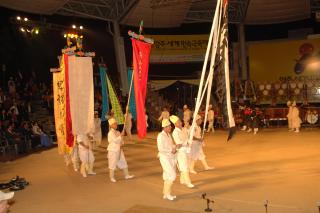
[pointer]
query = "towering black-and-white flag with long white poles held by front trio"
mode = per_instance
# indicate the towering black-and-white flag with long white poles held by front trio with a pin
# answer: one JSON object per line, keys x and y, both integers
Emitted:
{"x": 217, "y": 50}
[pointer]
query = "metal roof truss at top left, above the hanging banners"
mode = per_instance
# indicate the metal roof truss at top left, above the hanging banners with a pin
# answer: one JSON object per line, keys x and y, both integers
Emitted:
{"x": 107, "y": 10}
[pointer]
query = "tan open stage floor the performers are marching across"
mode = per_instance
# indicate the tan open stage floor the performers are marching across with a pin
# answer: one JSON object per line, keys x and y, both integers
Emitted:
{"x": 275, "y": 165}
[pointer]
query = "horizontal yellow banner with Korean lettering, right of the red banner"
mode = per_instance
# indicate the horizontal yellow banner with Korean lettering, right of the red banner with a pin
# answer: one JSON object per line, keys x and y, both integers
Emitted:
{"x": 178, "y": 48}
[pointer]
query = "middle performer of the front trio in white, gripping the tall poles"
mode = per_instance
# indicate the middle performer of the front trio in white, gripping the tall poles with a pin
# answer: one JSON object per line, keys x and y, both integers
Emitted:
{"x": 180, "y": 138}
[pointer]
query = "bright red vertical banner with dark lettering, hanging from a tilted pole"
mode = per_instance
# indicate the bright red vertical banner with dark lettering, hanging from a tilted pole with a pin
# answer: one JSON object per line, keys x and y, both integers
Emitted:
{"x": 141, "y": 55}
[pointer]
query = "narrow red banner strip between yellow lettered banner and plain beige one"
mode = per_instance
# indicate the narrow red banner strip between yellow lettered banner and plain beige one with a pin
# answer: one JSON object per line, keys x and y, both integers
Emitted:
{"x": 69, "y": 135}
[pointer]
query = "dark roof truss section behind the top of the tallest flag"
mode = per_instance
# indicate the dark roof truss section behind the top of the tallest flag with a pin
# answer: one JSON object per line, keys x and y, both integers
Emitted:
{"x": 237, "y": 11}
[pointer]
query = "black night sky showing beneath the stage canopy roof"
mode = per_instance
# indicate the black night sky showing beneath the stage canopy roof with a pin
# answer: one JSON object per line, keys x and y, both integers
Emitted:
{"x": 21, "y": 52}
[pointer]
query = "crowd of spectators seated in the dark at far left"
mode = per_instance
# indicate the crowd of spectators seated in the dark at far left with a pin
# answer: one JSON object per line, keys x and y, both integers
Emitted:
{"x": 18, "y": 133}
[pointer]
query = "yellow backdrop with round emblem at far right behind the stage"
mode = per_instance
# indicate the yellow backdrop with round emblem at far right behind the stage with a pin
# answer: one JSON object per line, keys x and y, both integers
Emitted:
{"x": 275, "y": 60}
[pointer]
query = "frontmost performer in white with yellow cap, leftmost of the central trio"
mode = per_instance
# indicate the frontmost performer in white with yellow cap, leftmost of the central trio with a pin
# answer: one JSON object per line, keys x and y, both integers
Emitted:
{"x": 166, "y": 156}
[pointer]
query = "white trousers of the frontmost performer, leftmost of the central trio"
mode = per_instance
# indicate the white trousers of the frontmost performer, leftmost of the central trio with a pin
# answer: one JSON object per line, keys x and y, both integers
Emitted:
{"x": 168, "y": 165}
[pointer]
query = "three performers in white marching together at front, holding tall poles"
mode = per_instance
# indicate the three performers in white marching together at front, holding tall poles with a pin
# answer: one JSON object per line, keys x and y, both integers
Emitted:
{"x": 177, "y": 151}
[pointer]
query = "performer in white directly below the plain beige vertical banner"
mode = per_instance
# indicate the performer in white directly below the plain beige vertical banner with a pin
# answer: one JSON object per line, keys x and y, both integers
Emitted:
{"x": 86, "y": 154}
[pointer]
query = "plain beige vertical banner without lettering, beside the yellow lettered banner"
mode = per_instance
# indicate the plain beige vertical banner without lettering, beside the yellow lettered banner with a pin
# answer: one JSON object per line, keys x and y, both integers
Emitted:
{"x": 81, "y": 94}
